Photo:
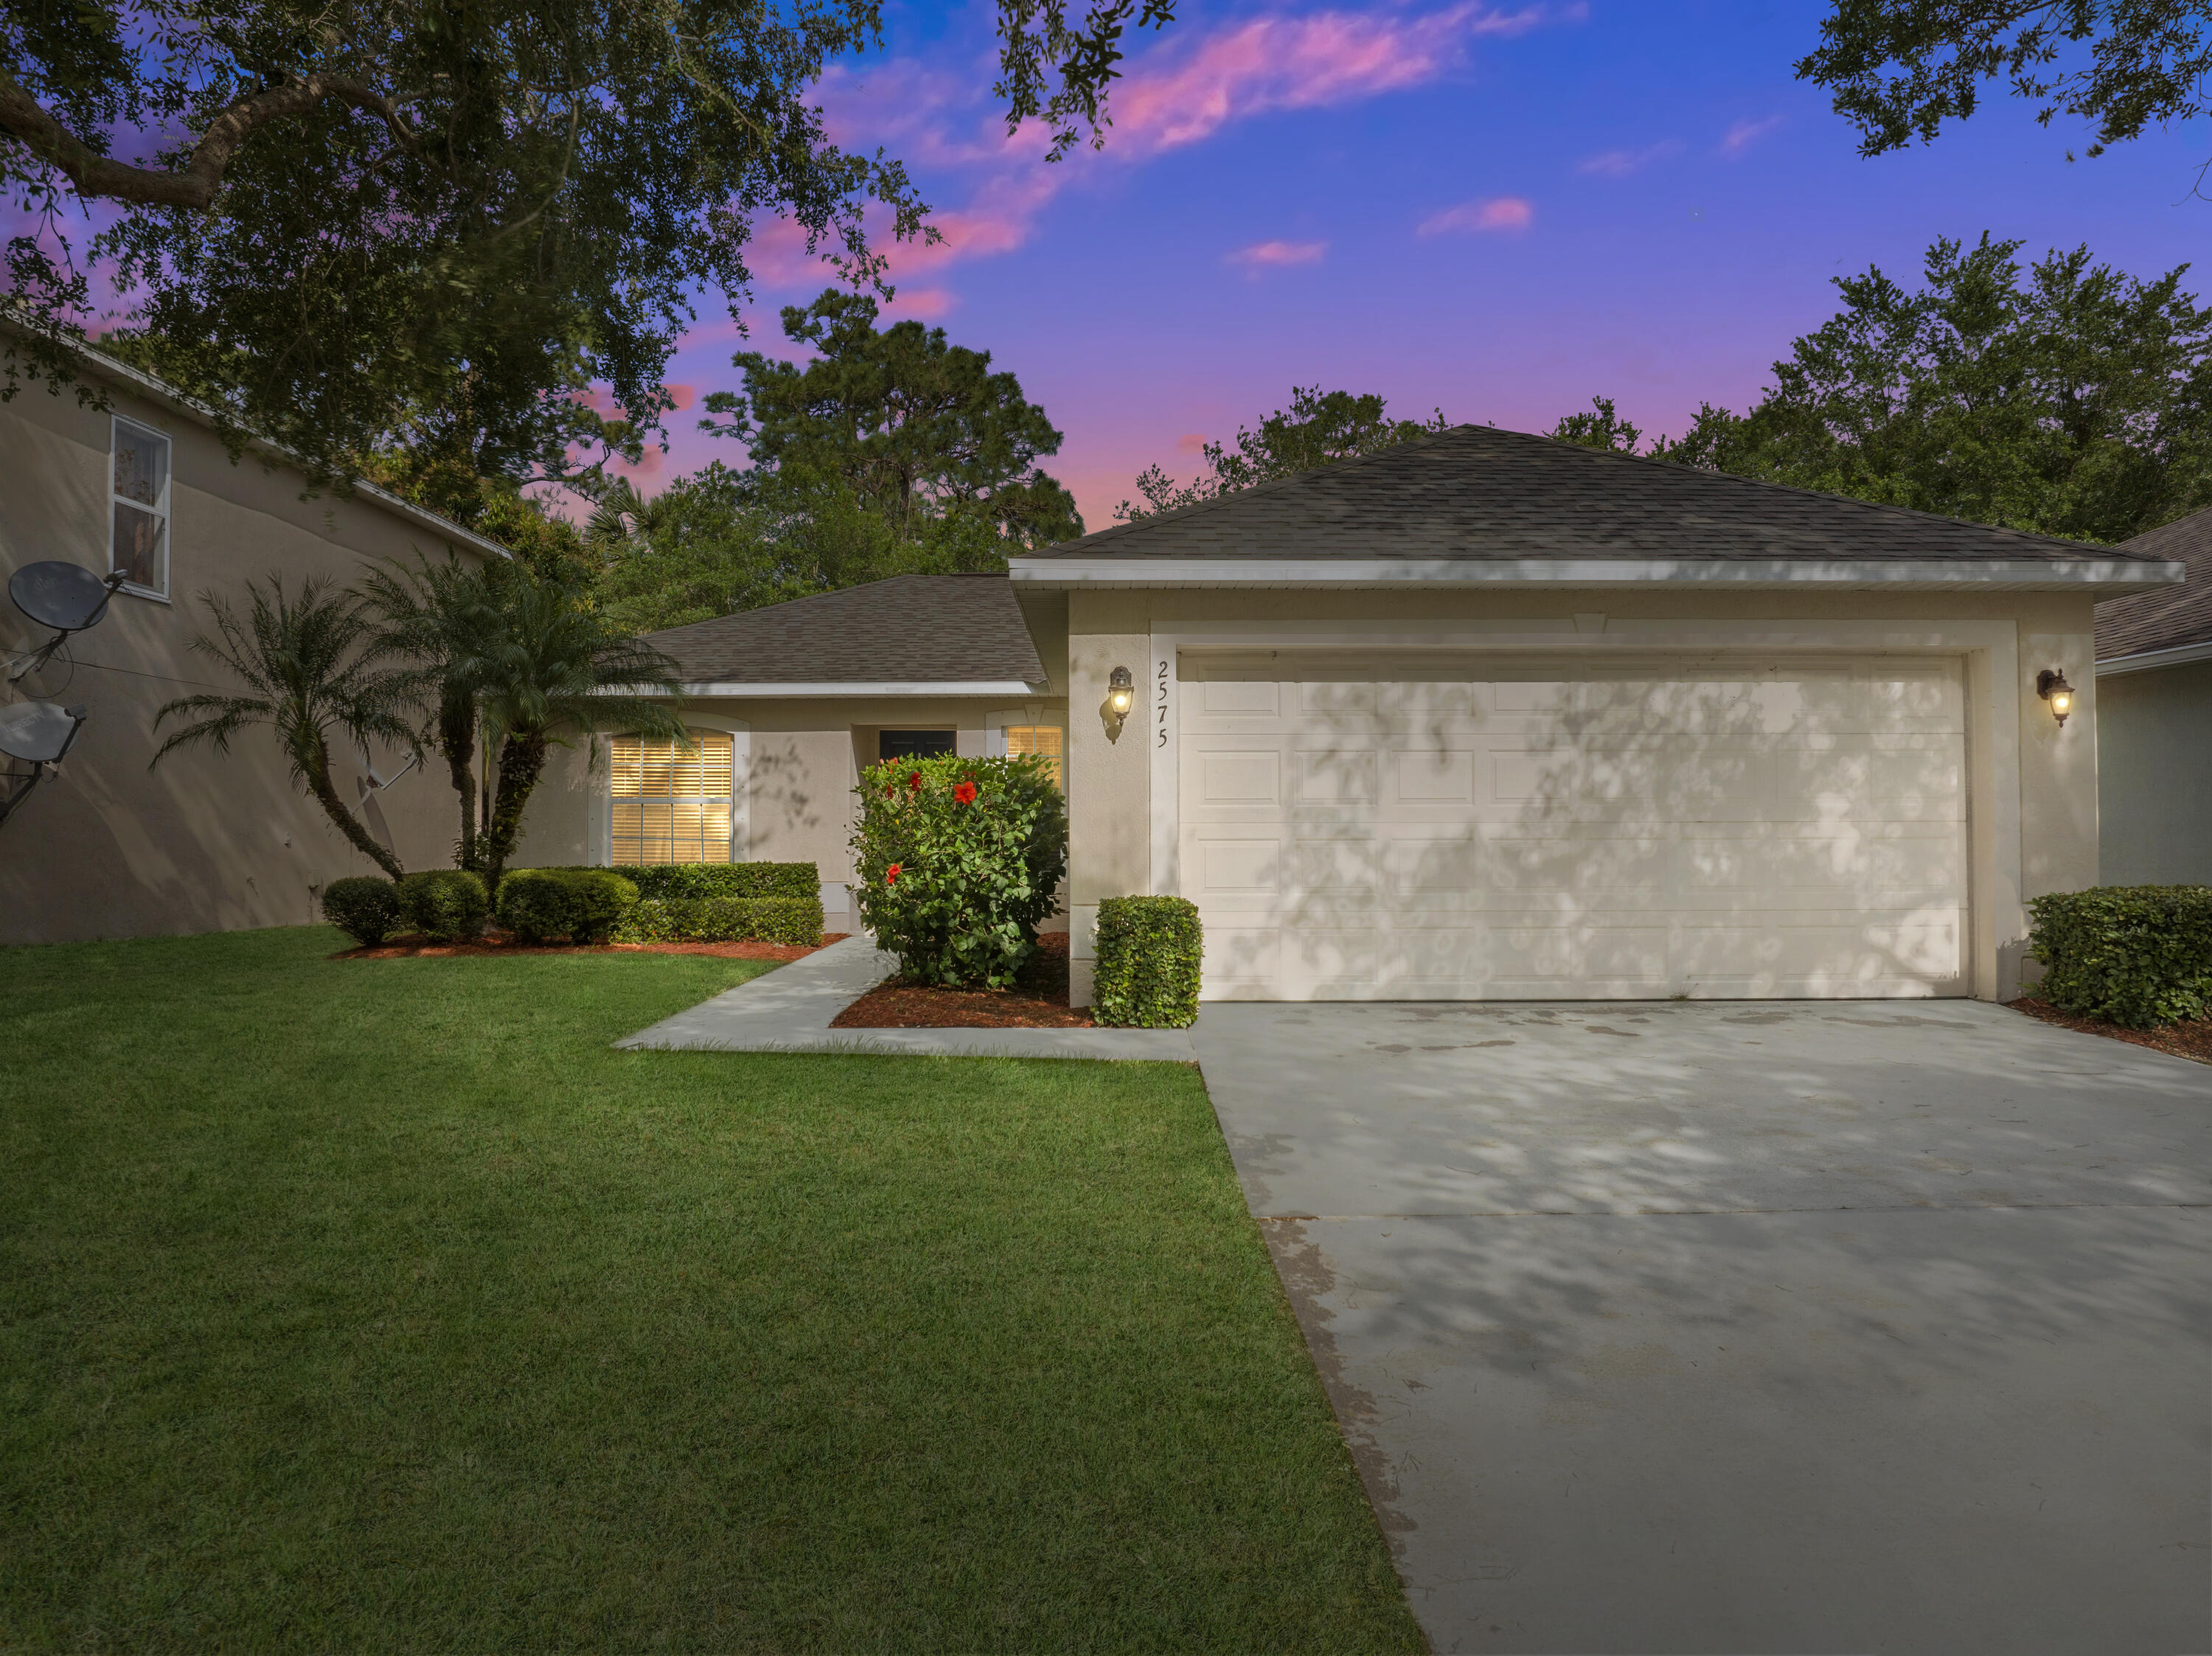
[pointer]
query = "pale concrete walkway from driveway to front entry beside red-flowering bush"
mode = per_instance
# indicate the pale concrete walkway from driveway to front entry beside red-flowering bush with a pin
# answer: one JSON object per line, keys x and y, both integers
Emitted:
{"x": 791, "y": 1009}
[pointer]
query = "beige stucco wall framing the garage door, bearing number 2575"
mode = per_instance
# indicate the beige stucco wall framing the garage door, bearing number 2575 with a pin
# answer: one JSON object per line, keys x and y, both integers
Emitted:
{"x": 2034, "y": 786}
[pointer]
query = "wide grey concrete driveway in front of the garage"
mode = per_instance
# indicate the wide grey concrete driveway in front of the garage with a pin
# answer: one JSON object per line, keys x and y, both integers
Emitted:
{"x": 1751, "y": 1328}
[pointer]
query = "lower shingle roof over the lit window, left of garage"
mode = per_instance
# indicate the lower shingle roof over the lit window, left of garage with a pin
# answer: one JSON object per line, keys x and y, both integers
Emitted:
{"x": 910, "y": 629}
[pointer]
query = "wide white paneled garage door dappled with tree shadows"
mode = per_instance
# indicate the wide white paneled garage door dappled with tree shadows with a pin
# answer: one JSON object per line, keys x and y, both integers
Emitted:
{"x": 1519, "y": 832}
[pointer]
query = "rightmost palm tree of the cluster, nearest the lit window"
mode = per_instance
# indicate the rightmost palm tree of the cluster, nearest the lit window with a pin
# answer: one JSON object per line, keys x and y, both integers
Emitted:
{"x": 556, "y": 667}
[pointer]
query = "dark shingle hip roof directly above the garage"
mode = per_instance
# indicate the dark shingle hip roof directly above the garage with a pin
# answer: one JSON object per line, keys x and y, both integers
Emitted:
{"x": 1488, "y": 494}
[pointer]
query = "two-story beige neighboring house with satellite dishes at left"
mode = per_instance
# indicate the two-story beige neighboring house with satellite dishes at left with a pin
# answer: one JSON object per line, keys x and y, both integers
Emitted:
{"x": 207, "y": 841}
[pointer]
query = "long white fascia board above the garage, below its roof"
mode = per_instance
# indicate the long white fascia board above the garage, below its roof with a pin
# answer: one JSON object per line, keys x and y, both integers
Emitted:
{"x": 1592, "y": 572}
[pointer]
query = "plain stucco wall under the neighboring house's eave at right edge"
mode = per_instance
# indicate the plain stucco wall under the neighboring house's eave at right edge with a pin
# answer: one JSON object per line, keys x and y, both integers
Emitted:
{"x": 2156, "y": 775}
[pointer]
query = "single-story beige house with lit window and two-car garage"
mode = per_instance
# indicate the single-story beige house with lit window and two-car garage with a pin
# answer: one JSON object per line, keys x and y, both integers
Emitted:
{"x": 1483, "y": 717}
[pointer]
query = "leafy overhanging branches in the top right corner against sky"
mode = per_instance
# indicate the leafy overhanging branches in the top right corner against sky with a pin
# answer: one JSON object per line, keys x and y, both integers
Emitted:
{"x": 1899, "y": 70}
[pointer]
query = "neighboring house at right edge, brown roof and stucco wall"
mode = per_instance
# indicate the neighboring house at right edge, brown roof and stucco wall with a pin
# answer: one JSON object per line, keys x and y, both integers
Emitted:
{"x": 2156, "y": 717}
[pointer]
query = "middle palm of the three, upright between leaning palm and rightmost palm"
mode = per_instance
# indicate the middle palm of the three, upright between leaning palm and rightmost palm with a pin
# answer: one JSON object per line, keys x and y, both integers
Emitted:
{"x": 448, "y": 618}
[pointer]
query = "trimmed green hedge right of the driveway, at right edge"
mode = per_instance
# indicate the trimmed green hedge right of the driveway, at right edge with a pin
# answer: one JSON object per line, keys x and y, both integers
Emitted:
{"x": 2136, "y": 956}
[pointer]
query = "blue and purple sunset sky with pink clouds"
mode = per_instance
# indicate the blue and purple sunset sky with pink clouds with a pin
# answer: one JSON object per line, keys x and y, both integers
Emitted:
{"x": 1490, "y": 209}
